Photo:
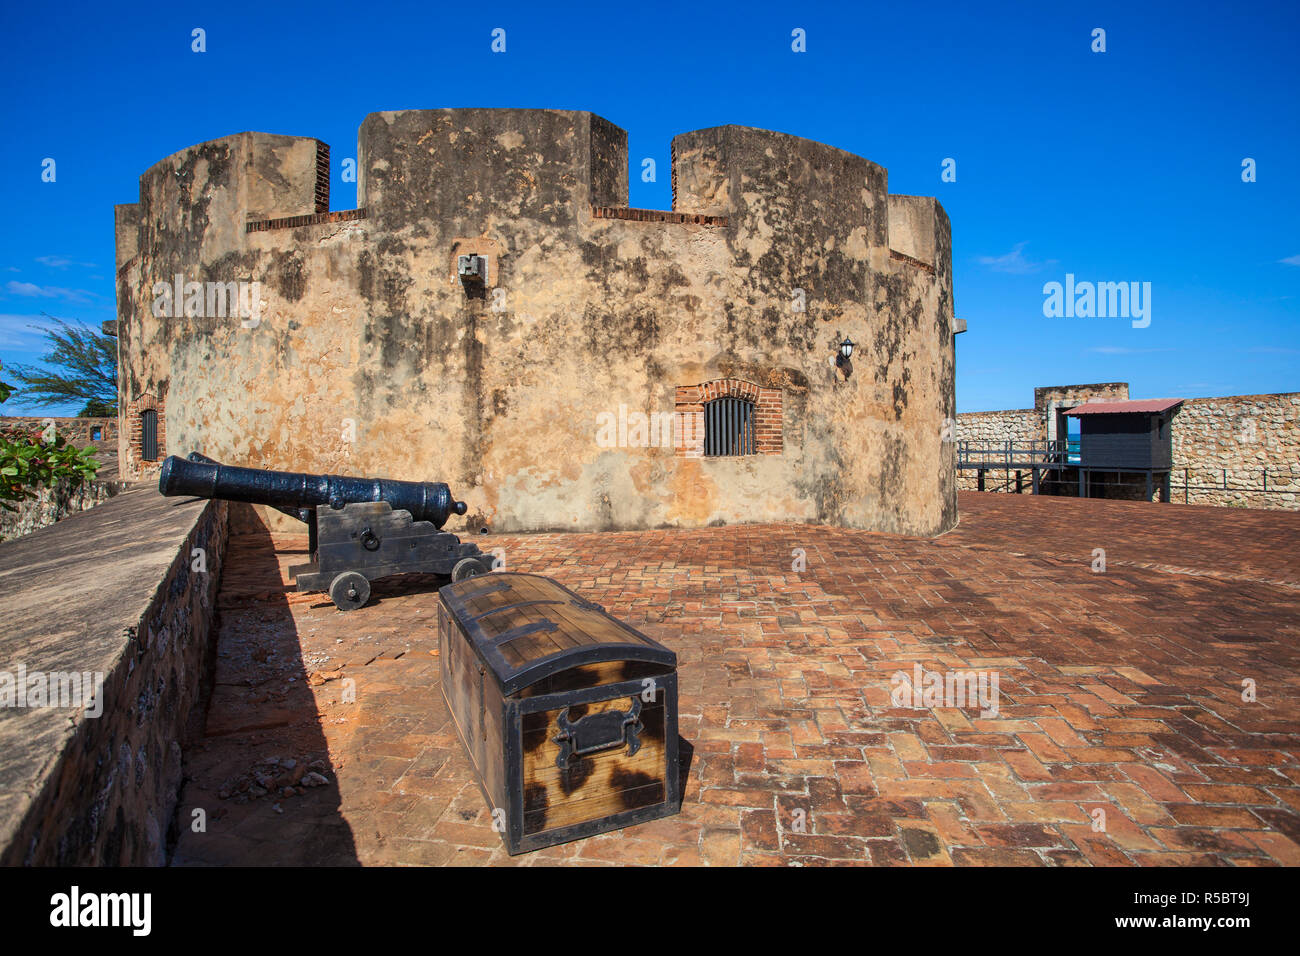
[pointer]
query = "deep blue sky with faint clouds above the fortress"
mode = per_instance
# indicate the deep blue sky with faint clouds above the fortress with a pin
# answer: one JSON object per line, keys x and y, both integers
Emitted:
{"x": 1124, "y": 166}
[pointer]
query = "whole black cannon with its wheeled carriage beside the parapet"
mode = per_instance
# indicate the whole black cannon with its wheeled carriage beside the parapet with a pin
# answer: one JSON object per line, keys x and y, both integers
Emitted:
{"x": 358, "y": 530}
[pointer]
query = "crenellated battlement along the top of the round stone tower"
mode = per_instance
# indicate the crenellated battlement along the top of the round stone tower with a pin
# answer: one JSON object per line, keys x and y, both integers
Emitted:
{"x": 463, "y": 171}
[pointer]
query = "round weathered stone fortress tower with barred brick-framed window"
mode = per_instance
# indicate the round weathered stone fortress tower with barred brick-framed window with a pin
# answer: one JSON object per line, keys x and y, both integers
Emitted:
{"x": 374, "y": 354}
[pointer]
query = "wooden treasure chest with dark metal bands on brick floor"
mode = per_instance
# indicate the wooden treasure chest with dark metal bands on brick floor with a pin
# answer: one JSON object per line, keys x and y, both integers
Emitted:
{"x": 569, "y": 716}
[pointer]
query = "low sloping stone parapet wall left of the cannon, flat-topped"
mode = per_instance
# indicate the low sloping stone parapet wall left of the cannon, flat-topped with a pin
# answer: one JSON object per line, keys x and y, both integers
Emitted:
{"x": 116, "y": 591}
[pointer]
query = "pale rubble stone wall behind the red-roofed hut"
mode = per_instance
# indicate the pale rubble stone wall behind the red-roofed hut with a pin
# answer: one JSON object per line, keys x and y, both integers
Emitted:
{"x": 1237, "y": 438}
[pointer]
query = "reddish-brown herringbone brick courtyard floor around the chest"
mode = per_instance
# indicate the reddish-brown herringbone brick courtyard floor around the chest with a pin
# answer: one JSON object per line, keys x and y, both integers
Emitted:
{"x": 1120, "y": 691}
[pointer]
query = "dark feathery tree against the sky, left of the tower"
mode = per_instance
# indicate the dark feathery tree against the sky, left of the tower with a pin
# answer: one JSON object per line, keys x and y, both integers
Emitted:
{"x": 84, "y": 370}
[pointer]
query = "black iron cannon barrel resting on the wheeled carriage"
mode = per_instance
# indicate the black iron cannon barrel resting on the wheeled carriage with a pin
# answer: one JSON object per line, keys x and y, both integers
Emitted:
{"x": 202, "y": 478}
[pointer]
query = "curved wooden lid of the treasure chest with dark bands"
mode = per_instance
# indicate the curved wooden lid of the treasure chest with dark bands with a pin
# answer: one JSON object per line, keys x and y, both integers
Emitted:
{"x": 527, "y": 628}
